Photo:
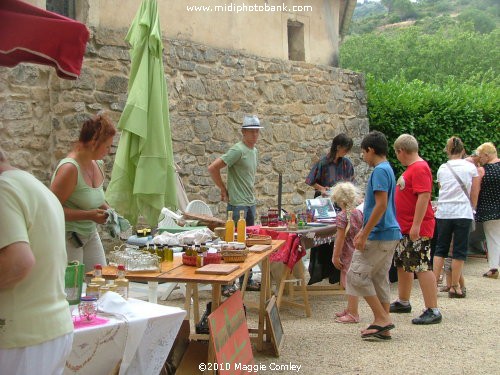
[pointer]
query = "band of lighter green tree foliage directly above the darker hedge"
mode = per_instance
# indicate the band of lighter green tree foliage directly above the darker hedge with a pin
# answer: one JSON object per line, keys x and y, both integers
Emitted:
{"x": 456, "y": 51}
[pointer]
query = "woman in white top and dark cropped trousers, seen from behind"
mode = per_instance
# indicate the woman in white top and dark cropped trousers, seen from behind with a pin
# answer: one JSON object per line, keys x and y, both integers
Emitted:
{"x": 458, "y": 191}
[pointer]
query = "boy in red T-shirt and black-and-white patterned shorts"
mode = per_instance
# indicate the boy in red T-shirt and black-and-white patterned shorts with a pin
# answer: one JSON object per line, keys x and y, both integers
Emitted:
{"x": 416, "y": 219}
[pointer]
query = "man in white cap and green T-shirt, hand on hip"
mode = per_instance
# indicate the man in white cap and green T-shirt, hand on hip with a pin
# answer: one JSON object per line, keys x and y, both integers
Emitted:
{"x": 241, "y": 161}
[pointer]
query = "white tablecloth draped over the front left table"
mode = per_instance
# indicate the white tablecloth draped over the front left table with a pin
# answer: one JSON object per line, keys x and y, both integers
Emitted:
{"x": 138, "y": 342}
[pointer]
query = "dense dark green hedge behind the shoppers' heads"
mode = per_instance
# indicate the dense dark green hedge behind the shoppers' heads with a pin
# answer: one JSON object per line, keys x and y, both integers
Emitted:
{"x": 433, "y": 113}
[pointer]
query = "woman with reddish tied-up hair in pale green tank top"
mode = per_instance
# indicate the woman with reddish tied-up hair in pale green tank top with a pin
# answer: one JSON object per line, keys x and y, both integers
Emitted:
{"x": 78, "y": 183}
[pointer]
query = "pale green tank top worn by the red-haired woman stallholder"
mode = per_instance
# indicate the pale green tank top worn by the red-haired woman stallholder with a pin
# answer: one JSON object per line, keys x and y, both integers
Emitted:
{"x": 84, "y": 197}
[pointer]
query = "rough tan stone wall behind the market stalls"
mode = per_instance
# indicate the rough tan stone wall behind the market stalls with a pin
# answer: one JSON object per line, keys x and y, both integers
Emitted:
{"x": 301, "y": 106}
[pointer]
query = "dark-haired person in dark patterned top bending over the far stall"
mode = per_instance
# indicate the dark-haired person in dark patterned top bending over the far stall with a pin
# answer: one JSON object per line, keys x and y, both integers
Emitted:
{"x": 333, "y": 167}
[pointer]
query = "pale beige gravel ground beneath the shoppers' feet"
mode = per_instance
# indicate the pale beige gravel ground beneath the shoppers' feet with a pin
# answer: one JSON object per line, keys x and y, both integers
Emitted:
{"x": 466, "y": 342}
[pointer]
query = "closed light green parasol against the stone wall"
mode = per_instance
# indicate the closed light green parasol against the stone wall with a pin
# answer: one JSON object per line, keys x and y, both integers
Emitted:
{"x": 143, "y": 180}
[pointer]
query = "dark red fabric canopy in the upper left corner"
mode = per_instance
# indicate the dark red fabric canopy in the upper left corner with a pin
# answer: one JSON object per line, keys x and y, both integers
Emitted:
{"x": 30, "y": 34}
